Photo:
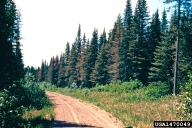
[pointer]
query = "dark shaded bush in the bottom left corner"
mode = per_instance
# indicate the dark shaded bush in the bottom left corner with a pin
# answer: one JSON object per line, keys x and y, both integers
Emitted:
{"x": 12, "y": 101}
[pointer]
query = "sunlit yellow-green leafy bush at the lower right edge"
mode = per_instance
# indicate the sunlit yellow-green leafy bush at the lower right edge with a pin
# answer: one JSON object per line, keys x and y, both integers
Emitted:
{"x": 184, "y": 104}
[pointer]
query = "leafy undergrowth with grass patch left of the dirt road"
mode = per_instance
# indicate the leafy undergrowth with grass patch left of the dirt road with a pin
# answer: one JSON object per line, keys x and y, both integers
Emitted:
{"x": 19, "y": 102}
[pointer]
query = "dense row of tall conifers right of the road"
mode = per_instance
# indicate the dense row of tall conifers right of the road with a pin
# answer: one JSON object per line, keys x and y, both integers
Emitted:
{"x": 137, "y": 47}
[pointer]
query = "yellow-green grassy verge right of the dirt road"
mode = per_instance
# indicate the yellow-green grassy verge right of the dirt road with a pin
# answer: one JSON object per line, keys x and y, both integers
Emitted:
{"x": 133, "y": 108}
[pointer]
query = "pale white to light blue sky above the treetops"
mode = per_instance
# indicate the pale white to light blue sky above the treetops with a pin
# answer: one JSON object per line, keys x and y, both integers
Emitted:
{"x": 47, "y": 25}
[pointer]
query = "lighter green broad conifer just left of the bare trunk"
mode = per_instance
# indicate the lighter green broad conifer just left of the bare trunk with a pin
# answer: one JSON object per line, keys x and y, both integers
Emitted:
{"x": 162, "y": 69}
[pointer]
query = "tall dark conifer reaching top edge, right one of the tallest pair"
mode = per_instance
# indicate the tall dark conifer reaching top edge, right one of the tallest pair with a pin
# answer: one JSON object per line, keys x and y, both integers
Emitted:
{"x": 138, "y": 57}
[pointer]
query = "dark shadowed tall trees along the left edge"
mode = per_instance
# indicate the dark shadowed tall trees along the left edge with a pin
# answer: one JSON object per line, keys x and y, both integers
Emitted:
{"x": 11, "y": 64}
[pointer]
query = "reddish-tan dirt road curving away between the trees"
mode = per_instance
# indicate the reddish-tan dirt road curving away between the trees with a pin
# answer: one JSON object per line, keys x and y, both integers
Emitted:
{"x": 70, "y": 112}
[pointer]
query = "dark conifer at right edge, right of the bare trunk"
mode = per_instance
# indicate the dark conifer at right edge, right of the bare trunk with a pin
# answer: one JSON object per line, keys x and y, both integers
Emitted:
{"x": 185, "y": 53}
